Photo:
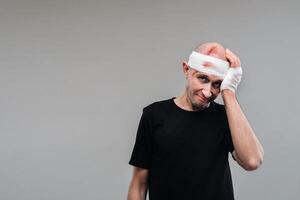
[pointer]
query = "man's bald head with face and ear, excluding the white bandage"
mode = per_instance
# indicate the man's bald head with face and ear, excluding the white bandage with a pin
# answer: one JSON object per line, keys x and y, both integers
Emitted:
{"x": 202, "y": 88}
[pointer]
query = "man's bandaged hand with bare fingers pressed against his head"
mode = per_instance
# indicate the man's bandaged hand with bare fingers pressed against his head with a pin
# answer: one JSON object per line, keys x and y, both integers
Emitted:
{"x": 234, "y": 73}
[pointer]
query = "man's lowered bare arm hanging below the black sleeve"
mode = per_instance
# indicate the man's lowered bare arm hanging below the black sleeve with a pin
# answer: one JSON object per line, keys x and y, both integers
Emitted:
{"x": 139, "y": 184}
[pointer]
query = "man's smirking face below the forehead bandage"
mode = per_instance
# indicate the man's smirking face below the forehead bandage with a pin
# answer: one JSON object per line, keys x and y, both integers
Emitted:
{"x": 202, "y": 88}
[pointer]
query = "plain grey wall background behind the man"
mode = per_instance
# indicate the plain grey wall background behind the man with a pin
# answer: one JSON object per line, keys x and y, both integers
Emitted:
{"x": 75, "y": 76}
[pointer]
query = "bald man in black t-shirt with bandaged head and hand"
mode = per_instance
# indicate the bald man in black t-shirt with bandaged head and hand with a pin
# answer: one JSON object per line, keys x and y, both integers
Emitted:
{"x": 182, "y": 143}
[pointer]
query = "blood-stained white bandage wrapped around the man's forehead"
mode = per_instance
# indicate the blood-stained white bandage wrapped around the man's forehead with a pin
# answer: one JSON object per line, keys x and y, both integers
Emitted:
{"x": 218, "y": 67}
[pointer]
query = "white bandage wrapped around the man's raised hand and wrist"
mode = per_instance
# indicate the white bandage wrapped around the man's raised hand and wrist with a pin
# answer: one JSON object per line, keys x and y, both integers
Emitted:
{"x": 232, "y": 79}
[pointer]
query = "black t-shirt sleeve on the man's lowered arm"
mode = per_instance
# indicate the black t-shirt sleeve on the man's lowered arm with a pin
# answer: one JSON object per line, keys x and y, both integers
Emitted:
{"x": 142, "y": 150}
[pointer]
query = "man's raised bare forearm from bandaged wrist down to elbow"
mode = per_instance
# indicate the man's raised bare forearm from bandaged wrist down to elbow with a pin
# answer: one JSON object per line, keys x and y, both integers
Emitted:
{"x": 248, "y": 150}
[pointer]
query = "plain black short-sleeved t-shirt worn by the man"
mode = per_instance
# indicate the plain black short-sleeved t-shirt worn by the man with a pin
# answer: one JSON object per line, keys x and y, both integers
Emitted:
{"x": 186, "y": 152}
